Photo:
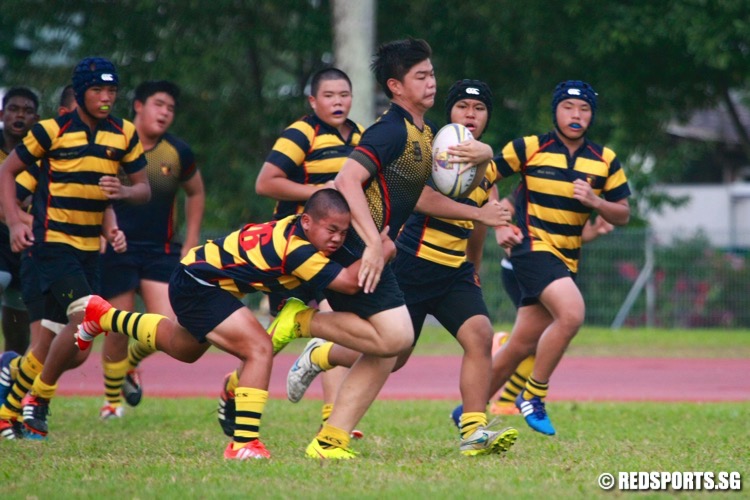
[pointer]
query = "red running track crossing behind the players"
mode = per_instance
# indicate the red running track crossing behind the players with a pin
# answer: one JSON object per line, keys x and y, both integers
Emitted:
{"x": 436, "y": 377}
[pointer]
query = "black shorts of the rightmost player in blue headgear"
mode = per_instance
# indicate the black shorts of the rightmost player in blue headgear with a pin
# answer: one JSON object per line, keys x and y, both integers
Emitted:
{"x": 535, "y": 271}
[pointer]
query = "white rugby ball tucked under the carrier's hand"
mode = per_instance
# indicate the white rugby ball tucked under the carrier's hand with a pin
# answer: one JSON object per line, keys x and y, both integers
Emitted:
{"x": 451, "y": 178}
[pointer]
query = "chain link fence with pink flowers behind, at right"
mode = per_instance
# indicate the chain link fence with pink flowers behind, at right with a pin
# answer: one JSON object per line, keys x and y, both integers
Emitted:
{"x": 634, "y": 278}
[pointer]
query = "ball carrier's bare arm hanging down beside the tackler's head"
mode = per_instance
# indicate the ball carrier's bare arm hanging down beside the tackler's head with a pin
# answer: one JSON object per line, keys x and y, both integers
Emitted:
{"x": 349, "y": 182}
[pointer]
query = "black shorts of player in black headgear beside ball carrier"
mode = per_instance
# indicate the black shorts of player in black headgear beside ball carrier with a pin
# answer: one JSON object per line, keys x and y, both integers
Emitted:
{"x": 452, "y": 295}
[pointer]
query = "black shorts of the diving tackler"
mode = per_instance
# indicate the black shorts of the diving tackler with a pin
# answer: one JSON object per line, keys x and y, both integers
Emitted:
{"x": 199, "y": 308}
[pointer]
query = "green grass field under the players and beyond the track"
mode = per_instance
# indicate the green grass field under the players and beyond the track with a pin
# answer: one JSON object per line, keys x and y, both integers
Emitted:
{"x": 171, "y": 448}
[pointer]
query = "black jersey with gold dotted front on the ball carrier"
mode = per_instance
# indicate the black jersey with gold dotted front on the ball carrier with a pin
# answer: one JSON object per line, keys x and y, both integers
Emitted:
{"x": 398, "y": 156}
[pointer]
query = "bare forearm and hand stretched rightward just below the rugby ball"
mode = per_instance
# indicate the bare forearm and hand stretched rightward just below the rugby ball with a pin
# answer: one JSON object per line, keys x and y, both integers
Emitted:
{"x": 435, "y": 204}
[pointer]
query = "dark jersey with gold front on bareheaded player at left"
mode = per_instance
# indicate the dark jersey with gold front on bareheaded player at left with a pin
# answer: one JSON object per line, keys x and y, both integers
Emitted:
{"x": 169, "y": 163}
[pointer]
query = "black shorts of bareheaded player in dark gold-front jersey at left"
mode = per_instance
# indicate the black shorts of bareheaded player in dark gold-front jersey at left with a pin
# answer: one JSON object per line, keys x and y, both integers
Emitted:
{"x": 123, "y": 272}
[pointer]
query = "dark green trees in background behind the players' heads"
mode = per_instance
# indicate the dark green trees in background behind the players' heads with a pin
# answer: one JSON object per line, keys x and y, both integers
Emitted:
{"x": 243, "y": 66}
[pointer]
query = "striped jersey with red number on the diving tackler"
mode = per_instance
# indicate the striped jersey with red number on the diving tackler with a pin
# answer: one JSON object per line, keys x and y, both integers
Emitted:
{"x": 270, "y": 257}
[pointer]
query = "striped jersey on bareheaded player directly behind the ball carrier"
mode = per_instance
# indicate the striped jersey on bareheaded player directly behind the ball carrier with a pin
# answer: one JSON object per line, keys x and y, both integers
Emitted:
{"x": 310, "y": 151}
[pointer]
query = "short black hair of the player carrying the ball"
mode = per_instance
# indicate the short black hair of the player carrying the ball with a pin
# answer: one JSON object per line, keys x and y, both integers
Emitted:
{"x": 395, "y": 59}
